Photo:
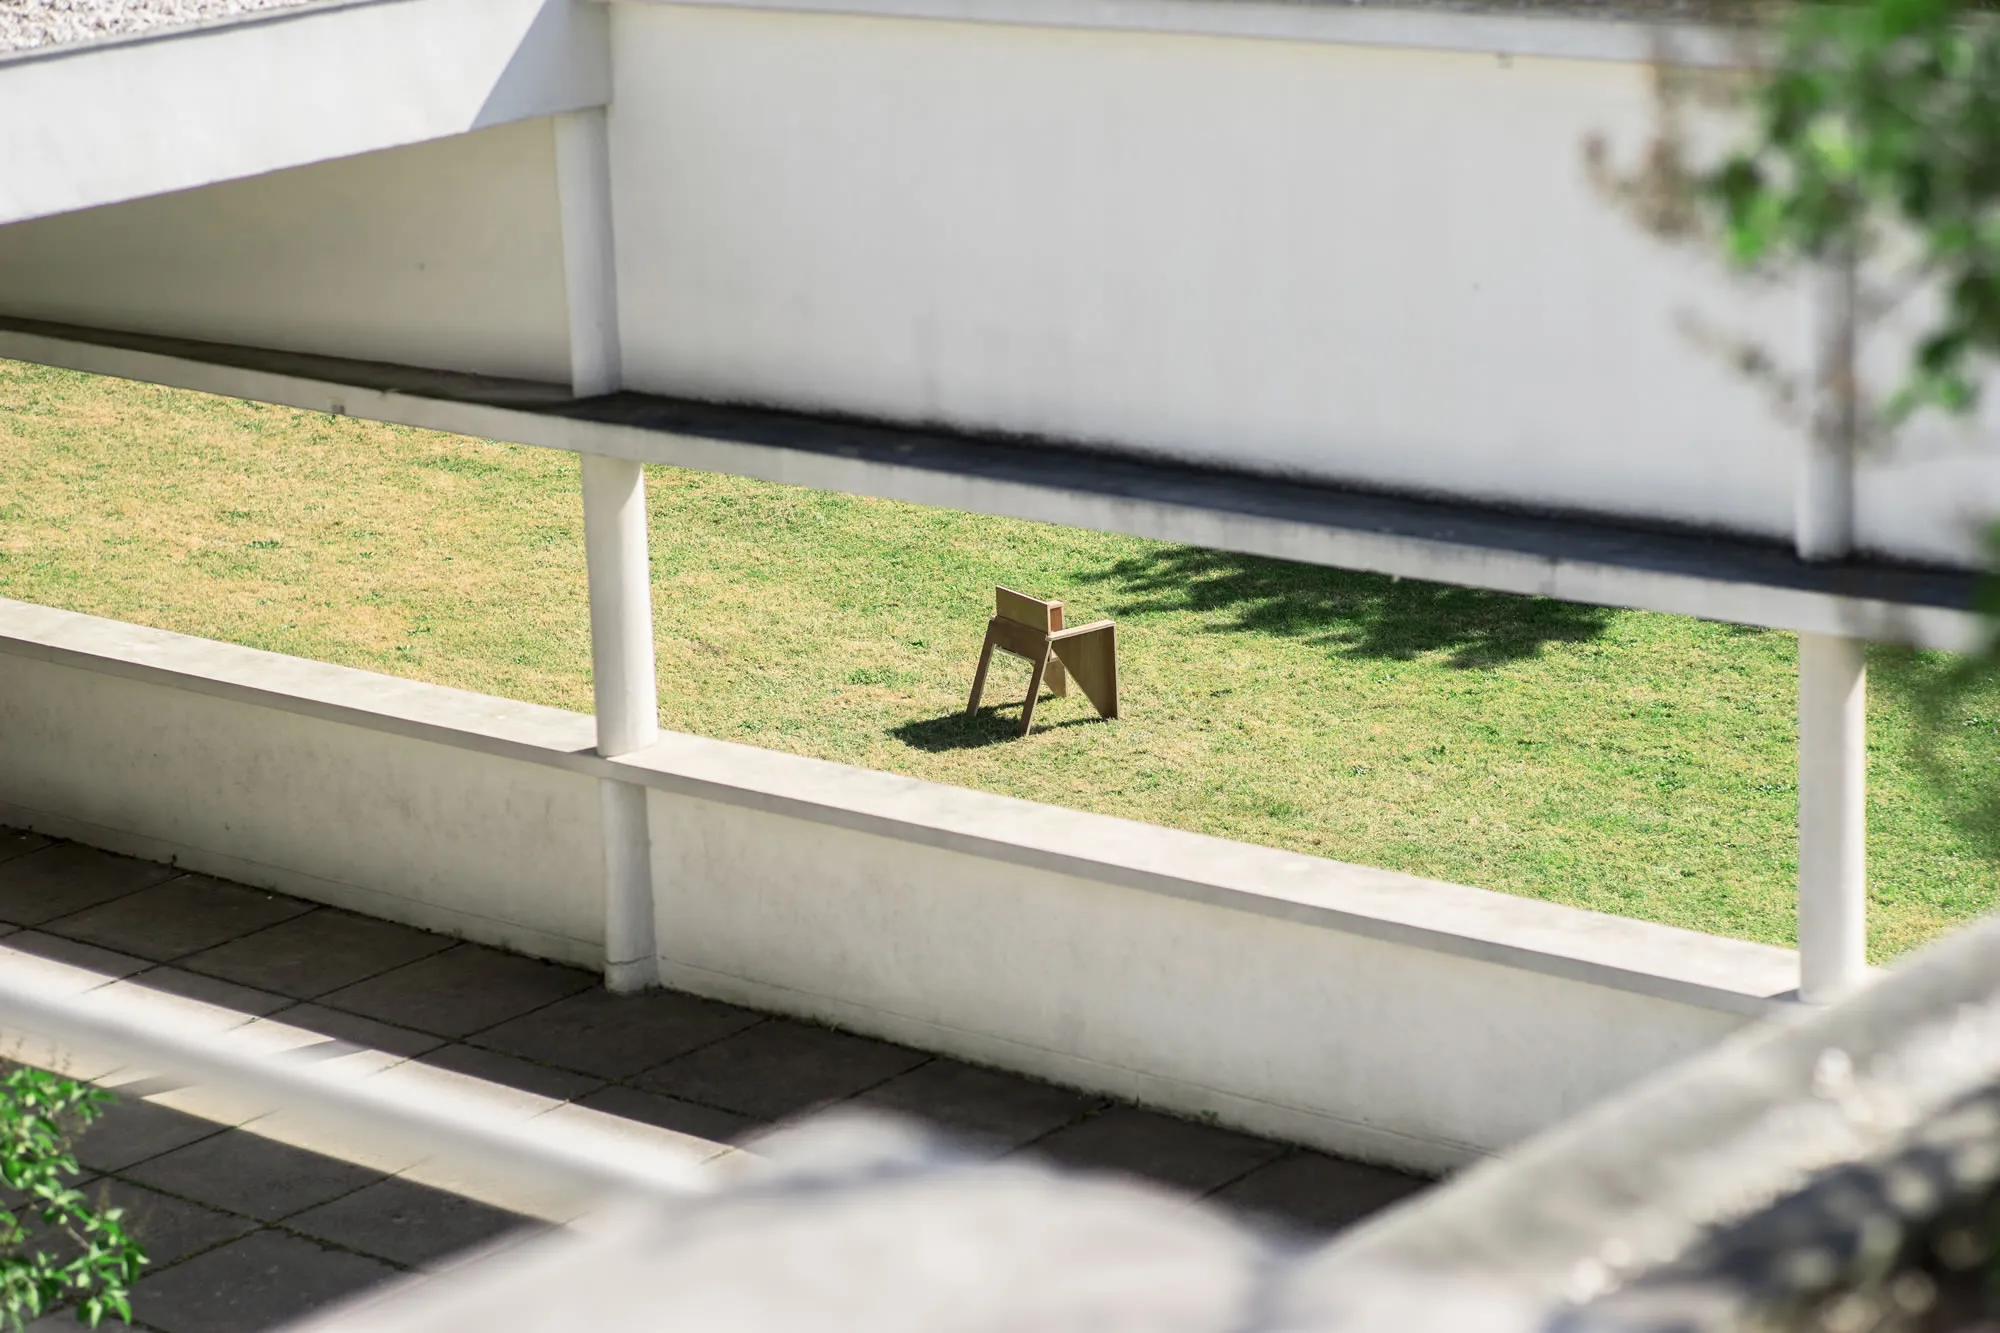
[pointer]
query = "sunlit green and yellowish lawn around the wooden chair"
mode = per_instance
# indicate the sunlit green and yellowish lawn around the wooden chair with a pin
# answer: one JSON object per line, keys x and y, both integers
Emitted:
{"x": 1623, "y": 762}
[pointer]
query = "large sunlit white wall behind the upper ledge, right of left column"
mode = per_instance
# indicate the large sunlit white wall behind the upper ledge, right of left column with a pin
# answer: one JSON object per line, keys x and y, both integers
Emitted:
{"x": 1357, "y": 263}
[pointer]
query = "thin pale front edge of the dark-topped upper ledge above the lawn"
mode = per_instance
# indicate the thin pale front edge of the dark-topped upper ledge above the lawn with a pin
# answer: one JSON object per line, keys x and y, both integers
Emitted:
{"x": 1403, "y": 557}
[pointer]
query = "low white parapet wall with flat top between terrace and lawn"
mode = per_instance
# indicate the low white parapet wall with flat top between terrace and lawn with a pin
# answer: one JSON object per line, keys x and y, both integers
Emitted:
{"x": 1347, "y": 1008}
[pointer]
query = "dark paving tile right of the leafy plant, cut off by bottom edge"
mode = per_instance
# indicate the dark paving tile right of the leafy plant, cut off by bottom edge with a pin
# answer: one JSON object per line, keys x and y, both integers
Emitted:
{"x": 255, "y": 1284}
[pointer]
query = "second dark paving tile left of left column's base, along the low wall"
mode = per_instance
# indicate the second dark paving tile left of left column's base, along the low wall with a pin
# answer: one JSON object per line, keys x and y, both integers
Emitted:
{"x": 311, "y": 956}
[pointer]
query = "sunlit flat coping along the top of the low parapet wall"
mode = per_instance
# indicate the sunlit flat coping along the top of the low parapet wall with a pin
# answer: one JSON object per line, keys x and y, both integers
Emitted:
{"x": 1509, "y": 932}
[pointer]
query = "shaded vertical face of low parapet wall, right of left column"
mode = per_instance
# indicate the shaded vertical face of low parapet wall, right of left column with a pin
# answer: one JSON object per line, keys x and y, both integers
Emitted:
{"x": 1317, "y": 1036}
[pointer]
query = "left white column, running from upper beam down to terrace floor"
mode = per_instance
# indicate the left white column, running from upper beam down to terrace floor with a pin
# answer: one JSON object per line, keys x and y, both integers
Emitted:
{"x": 615, "y": 553}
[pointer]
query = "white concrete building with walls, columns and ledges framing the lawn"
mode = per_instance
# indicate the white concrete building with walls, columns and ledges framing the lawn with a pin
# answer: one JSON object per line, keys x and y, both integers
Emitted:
{"x": 1305, "y": 281}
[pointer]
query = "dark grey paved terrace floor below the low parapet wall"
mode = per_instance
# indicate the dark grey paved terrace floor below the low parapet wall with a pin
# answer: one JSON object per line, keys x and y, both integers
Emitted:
{"x": 247, "y": 1234}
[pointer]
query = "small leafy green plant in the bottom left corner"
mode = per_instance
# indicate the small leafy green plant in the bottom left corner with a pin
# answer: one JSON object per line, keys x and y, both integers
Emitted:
{"x": 55, "y": 1248}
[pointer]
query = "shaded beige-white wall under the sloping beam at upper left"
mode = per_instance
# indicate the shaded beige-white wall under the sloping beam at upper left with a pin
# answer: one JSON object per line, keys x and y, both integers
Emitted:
{"x": 441, "y": 255}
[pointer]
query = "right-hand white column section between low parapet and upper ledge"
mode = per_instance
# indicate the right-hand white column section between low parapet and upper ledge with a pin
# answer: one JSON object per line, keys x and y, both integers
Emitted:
{"x": 1833, "y": 818}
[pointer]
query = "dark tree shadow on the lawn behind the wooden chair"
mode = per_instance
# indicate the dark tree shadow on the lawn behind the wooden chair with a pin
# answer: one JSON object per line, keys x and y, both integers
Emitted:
{"x": 1361, "y": 615}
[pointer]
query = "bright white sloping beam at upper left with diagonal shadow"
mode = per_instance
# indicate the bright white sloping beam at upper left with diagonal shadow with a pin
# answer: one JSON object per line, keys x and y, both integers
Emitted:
{"x": 173, "y": 111}
